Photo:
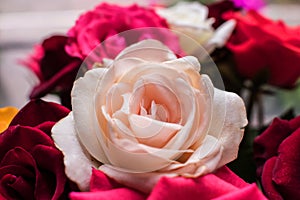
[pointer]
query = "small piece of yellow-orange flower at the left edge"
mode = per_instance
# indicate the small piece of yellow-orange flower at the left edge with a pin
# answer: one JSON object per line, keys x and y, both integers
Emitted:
{"x": 6, "y": 115}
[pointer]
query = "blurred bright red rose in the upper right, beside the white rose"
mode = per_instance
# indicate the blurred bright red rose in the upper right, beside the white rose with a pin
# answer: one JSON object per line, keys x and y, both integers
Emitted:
{"x": 261, "y": 44}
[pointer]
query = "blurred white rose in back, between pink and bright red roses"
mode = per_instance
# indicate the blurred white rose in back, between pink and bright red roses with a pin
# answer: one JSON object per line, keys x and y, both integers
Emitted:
{"x": 191, "y": 18}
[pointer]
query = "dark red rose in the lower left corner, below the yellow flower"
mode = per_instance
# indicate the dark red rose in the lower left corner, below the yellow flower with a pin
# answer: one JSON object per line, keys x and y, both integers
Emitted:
{"x": 31, "y": 167}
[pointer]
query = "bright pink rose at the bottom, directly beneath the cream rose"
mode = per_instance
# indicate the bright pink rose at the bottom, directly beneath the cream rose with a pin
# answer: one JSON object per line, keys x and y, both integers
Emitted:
{"x": 223, "y": 184}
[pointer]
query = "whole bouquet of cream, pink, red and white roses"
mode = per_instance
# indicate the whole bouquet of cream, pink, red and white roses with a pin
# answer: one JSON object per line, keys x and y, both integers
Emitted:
{"x": 144, "y": 113}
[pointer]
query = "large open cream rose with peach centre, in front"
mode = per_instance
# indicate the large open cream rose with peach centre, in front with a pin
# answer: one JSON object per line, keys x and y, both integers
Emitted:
{"x": 148, "y": 115}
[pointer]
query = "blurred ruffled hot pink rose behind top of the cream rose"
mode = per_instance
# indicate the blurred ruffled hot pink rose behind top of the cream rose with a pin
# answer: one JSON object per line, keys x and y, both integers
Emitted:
{"x": 107, "y": 20}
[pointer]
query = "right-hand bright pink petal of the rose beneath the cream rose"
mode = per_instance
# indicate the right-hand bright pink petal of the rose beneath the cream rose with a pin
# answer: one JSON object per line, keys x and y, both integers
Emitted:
{"x": 207, "y": 187}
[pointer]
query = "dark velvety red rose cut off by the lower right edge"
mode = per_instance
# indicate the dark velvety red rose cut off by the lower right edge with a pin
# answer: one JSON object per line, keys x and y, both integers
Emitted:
{"x": 277, "y": 152}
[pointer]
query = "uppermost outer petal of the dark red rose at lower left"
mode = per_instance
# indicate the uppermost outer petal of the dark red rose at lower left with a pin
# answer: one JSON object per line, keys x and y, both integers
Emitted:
{"x": 46, "y": 111}
